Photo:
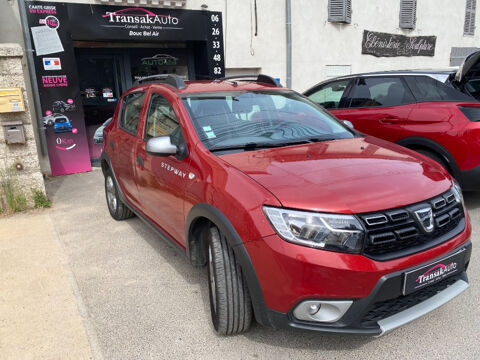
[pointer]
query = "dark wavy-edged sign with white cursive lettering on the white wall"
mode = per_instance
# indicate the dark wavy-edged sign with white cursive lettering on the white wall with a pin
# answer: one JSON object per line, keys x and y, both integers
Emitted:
{"x": 383, "y": 44}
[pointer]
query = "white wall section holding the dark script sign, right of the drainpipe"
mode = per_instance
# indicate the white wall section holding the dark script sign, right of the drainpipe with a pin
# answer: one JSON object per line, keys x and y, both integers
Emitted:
{"x": 318, "y": 43}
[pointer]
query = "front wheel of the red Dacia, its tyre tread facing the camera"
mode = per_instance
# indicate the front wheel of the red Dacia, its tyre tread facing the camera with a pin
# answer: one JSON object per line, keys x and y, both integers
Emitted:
{"x": 230, "y": 302}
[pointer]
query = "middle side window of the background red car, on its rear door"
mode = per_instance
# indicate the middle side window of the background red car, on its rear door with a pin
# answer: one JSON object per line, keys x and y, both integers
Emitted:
{"x": 380, "y": 92}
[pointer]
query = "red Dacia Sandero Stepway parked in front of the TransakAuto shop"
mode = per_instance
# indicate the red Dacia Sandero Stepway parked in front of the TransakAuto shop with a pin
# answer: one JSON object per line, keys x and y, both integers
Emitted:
{"x": 301, "y": 221}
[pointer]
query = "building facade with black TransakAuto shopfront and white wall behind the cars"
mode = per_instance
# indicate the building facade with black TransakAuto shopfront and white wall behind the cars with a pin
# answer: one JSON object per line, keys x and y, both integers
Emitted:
{"x": 75, "y": 70}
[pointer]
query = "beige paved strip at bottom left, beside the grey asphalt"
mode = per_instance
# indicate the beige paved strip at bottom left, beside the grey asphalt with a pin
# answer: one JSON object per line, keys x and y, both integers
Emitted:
{"x": 39, "y": 305}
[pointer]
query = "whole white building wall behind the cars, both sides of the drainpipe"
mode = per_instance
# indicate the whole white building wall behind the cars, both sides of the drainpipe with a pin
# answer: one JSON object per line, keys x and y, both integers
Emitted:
{"x": 317, "y": 43}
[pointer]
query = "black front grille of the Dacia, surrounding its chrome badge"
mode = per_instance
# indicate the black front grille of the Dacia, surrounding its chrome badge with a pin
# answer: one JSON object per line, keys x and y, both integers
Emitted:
{"x": 399, "y": 232}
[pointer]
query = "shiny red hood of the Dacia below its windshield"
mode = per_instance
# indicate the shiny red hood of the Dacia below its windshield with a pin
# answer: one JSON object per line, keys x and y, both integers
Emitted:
{"x": 346, "y": 176}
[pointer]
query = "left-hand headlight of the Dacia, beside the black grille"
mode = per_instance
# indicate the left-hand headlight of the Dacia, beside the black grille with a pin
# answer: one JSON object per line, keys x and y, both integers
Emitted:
{"x": 324, "y": 231}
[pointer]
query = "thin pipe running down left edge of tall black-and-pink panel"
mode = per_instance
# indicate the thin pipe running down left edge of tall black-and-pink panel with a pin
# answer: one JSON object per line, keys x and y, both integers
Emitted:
{"x": 33, "y": 76}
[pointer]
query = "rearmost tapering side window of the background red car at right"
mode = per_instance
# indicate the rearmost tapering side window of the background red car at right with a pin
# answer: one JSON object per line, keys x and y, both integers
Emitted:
{"x": 426, "y": 89}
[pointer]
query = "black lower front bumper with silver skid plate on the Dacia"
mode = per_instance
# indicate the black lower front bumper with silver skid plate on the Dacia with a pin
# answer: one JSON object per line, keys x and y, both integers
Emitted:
{"x": 386, "y": 308}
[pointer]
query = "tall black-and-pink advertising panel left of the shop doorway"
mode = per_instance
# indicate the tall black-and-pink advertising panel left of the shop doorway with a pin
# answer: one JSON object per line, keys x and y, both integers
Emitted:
{"x": 57, "y": 82}
